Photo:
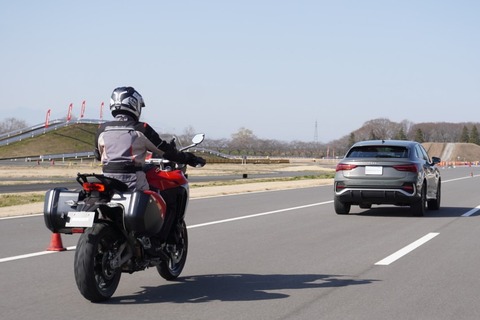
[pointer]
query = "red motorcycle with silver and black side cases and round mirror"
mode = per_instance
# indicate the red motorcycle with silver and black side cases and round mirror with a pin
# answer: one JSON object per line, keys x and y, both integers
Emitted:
{"x": 123, "y": 231}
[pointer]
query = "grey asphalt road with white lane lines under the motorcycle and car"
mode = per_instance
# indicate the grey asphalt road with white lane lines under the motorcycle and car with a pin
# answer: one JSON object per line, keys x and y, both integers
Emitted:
{"x": 274, "y": 255}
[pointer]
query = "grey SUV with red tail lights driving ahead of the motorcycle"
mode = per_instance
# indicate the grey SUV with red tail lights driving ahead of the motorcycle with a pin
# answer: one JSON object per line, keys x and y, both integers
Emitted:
{"x": 395, "y": 172}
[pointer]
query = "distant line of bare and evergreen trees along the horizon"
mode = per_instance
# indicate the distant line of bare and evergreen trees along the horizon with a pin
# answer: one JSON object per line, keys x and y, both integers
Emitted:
{"x": 245, "y": 143}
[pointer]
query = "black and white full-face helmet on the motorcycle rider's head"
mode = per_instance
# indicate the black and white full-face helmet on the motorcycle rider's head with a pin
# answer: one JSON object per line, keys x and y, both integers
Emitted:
{"x": 126, "y": 100}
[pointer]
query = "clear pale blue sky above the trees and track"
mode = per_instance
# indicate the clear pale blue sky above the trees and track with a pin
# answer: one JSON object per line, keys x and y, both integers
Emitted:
{"x": 274, "y": 67}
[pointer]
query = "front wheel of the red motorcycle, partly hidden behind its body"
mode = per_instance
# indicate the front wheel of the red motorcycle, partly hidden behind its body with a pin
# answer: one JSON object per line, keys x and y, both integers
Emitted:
{"x": 170, "y": 269}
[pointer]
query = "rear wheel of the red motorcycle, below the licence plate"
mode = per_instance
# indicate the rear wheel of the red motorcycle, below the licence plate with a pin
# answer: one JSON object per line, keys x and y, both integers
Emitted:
{"x": 95, "y": 278}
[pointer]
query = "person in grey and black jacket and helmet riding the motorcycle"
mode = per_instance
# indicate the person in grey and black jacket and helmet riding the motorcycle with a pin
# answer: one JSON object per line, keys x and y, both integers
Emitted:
{"x": 122, "y": 145}
